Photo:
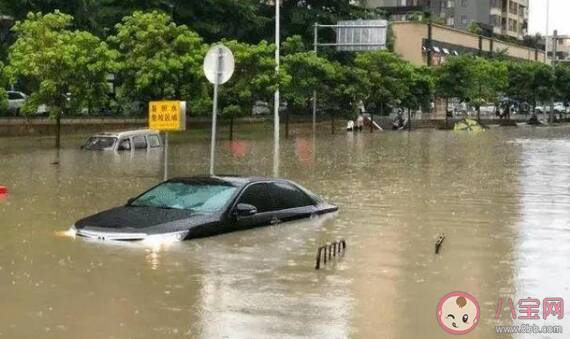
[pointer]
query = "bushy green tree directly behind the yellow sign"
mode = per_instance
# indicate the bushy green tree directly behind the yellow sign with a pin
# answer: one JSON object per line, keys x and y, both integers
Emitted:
{"x": 160, "y": 60}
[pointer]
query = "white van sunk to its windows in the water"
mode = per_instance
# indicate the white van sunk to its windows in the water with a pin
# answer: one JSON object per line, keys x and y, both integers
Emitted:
{"x": 143, "y": 139}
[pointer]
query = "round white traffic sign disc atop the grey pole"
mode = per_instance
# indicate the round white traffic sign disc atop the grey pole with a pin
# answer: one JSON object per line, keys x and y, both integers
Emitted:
{"x": 219, "y": 64}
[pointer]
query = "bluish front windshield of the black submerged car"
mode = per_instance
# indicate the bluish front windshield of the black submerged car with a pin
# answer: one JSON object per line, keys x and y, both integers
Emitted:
{"x": 204, "y": 198}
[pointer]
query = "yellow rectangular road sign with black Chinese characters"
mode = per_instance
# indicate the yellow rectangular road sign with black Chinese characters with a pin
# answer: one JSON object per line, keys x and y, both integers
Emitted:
{"x": 167, "y": 115}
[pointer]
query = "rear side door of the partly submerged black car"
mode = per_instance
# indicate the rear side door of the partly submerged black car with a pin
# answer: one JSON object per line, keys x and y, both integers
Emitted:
{"x": 290, "y": 202}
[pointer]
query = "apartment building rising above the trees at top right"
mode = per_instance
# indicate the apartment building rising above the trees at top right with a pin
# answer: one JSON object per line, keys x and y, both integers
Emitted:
{"x": 505, "y": 17}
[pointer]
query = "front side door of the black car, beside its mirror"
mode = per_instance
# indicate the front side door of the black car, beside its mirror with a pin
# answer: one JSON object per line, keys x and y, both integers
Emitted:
{"x": 257, "y": 195}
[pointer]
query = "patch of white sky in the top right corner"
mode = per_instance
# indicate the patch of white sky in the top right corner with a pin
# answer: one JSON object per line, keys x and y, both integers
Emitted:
{"x": 559, "y": 16}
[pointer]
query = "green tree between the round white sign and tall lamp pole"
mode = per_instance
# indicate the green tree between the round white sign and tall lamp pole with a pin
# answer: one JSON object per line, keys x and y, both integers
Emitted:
{"x": 254, "y": 79}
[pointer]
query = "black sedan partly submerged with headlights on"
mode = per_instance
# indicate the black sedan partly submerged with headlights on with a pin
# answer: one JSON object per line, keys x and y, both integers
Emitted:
{"x": 195, "y": 207}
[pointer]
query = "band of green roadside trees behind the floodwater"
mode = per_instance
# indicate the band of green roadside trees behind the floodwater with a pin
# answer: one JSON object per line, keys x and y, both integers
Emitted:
{"x": 109, "y": 59}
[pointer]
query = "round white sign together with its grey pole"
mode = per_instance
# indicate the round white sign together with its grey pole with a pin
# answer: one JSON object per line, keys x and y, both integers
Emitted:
{"x": 219, "y": 65}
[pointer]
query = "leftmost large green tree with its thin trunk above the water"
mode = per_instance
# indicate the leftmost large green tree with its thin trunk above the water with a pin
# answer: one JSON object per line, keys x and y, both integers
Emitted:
{"x": 58, "y": 61}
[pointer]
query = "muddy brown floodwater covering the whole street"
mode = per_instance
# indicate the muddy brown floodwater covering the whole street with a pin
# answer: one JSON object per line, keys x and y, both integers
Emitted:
{"x": 501, "y": 197}
